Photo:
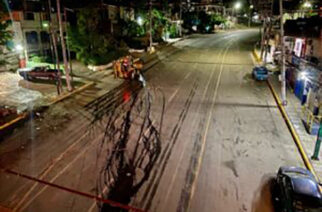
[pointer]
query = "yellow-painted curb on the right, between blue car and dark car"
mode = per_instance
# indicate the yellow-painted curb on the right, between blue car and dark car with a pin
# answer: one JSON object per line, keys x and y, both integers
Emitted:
{"x": 295, "y": 136}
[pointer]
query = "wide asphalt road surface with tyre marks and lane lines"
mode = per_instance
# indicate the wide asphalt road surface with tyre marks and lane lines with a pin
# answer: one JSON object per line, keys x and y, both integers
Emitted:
{"x": 202, "y": 136}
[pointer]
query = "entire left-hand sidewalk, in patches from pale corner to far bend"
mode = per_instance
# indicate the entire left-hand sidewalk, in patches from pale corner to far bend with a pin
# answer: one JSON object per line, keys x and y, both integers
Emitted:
{"x": 28, "y": 96}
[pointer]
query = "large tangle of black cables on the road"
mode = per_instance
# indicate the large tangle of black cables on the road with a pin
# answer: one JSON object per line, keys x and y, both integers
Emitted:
{"x": 130, "y": 146}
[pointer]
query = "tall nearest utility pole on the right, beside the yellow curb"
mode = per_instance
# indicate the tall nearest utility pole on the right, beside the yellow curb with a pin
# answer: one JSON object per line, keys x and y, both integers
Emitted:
{"x": 282, "y": 55}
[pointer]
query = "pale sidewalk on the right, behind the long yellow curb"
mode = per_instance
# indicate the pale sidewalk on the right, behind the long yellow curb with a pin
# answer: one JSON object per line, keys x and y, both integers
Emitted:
{"x": 294, "y": 112}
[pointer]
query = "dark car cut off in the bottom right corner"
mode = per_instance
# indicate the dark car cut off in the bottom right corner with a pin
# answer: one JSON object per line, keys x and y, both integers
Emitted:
{"x": 296, "y": 190}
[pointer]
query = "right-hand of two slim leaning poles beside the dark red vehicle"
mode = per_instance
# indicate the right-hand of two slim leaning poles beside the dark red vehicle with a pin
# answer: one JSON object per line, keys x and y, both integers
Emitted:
{"x": 69, "y": 86}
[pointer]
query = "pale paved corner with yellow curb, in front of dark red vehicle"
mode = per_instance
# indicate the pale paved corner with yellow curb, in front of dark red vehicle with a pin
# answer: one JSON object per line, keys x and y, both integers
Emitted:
{"x": 20, "y": 98}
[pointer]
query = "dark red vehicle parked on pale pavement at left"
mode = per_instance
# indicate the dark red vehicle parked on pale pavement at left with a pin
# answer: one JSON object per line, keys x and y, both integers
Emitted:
{"x": 41, "y": 72}
